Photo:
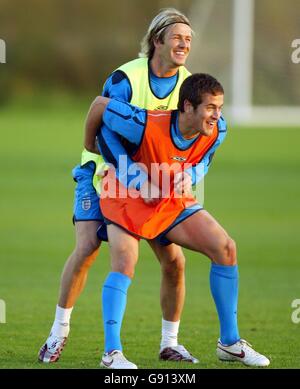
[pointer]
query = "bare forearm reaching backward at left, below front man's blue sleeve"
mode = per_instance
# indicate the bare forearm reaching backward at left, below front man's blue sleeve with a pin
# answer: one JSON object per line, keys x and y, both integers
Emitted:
{"x": 93, "y": 122}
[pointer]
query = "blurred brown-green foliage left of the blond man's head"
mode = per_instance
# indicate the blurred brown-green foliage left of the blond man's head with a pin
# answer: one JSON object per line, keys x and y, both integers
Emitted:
{"x": 70, "y": 45}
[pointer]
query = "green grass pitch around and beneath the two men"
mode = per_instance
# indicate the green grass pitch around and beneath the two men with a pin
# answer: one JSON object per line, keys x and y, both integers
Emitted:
{"x": 253, "y": 189}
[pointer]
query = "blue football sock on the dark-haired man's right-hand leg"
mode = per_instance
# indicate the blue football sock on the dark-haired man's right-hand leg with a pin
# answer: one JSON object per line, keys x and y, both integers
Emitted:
{"x": 224, "y": 289}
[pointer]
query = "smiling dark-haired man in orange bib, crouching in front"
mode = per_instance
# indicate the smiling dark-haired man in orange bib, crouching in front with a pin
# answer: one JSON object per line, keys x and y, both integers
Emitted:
{"x": 192, "y": 133}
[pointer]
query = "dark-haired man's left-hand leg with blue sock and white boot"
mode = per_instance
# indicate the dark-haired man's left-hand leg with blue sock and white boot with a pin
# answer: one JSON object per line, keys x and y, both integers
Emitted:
{"x": 124, "y": 256}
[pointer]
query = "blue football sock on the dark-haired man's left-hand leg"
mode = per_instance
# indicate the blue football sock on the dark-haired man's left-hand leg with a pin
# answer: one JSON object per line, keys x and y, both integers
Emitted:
{"x": 114, "y": 298}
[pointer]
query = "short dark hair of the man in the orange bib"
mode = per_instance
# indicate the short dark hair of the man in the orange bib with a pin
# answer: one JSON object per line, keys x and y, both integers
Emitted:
{"x": 195, "y": 86}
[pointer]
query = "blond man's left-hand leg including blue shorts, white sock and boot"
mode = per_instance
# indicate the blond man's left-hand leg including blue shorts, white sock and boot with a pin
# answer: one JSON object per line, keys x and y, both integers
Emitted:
{"x": 87, "y": 216}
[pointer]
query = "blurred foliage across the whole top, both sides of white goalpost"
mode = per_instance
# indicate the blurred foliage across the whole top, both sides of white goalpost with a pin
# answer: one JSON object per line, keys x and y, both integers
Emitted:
{"x": 61, "y": 46}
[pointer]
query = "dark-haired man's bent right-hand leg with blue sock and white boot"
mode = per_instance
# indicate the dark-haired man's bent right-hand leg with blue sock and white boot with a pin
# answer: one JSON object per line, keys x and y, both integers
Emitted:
{"x": 201, "y": 232}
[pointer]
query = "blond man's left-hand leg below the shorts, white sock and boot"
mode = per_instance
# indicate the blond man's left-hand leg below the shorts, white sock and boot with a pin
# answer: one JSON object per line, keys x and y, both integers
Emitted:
{"x": 73, "y": 280}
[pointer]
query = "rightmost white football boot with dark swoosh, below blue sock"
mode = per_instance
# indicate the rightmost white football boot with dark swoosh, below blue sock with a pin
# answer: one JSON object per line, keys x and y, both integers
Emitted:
{"x": 241, "y": 351}
